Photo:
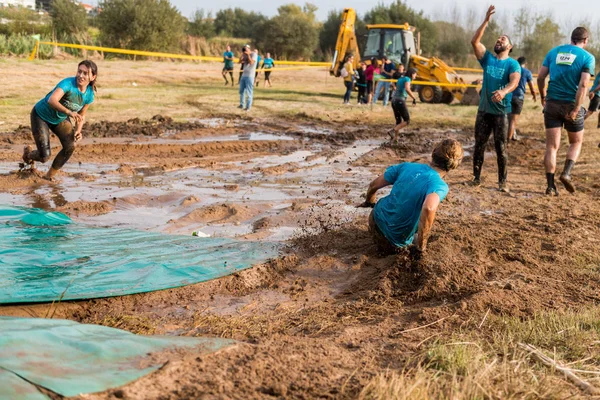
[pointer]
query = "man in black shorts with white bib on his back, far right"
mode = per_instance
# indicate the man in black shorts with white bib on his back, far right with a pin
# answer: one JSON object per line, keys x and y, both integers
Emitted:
{"x": 570, "y": 68}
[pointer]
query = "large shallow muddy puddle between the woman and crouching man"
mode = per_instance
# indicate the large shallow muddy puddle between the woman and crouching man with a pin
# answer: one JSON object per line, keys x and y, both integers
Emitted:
{"x": 265, "y": 197}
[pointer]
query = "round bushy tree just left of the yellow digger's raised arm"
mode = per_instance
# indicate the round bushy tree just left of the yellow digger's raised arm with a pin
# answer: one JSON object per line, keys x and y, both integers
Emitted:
{"x": 293, "y": 33}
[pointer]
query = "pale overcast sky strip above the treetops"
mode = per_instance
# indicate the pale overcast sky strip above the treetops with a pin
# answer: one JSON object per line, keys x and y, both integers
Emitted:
{"x": 576, "y": 10}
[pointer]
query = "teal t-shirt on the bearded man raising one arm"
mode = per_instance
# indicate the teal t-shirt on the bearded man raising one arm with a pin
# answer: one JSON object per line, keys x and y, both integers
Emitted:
{"x": 496, "y": 75}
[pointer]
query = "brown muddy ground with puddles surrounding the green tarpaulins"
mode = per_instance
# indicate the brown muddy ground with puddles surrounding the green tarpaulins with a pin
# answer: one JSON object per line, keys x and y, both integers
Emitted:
{"x": 330, "y": 318}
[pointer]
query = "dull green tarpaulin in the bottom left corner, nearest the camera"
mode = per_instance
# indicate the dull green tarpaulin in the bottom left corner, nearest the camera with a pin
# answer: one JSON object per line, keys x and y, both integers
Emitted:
{"x": 70, "y": 358}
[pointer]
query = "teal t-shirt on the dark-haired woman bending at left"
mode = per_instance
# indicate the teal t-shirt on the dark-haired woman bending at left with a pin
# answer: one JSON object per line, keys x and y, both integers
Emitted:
{"x": 73, "y": 99}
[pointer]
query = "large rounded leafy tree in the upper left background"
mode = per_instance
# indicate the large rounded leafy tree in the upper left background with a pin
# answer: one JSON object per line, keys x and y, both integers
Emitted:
{"x": 153, "y": 25}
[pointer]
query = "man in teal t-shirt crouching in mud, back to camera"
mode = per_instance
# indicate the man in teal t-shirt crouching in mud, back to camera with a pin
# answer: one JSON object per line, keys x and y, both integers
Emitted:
{"x": 410, "y": 207}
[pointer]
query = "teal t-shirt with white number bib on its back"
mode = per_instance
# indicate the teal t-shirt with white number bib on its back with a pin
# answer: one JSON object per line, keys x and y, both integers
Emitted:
{"x": 566, "y": 63}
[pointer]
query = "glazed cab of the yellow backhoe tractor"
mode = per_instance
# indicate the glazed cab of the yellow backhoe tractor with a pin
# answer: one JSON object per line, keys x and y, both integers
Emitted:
{"x": 396, "y": 42}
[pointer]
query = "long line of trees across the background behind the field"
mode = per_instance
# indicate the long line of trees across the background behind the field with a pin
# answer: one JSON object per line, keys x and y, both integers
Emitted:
{"x": 294, "y": 33}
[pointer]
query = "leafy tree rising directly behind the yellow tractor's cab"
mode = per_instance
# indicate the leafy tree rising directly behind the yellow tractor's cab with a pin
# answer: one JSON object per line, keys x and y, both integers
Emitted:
{"x": 399, "y": 12}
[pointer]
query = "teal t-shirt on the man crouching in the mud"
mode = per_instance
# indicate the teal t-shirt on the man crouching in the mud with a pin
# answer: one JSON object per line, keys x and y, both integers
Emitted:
{"x": 397, "y": 215}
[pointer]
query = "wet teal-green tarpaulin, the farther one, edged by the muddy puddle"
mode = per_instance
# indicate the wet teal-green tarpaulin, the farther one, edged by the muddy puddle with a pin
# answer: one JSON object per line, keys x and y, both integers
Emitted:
{"x": 45, "y": 257}
